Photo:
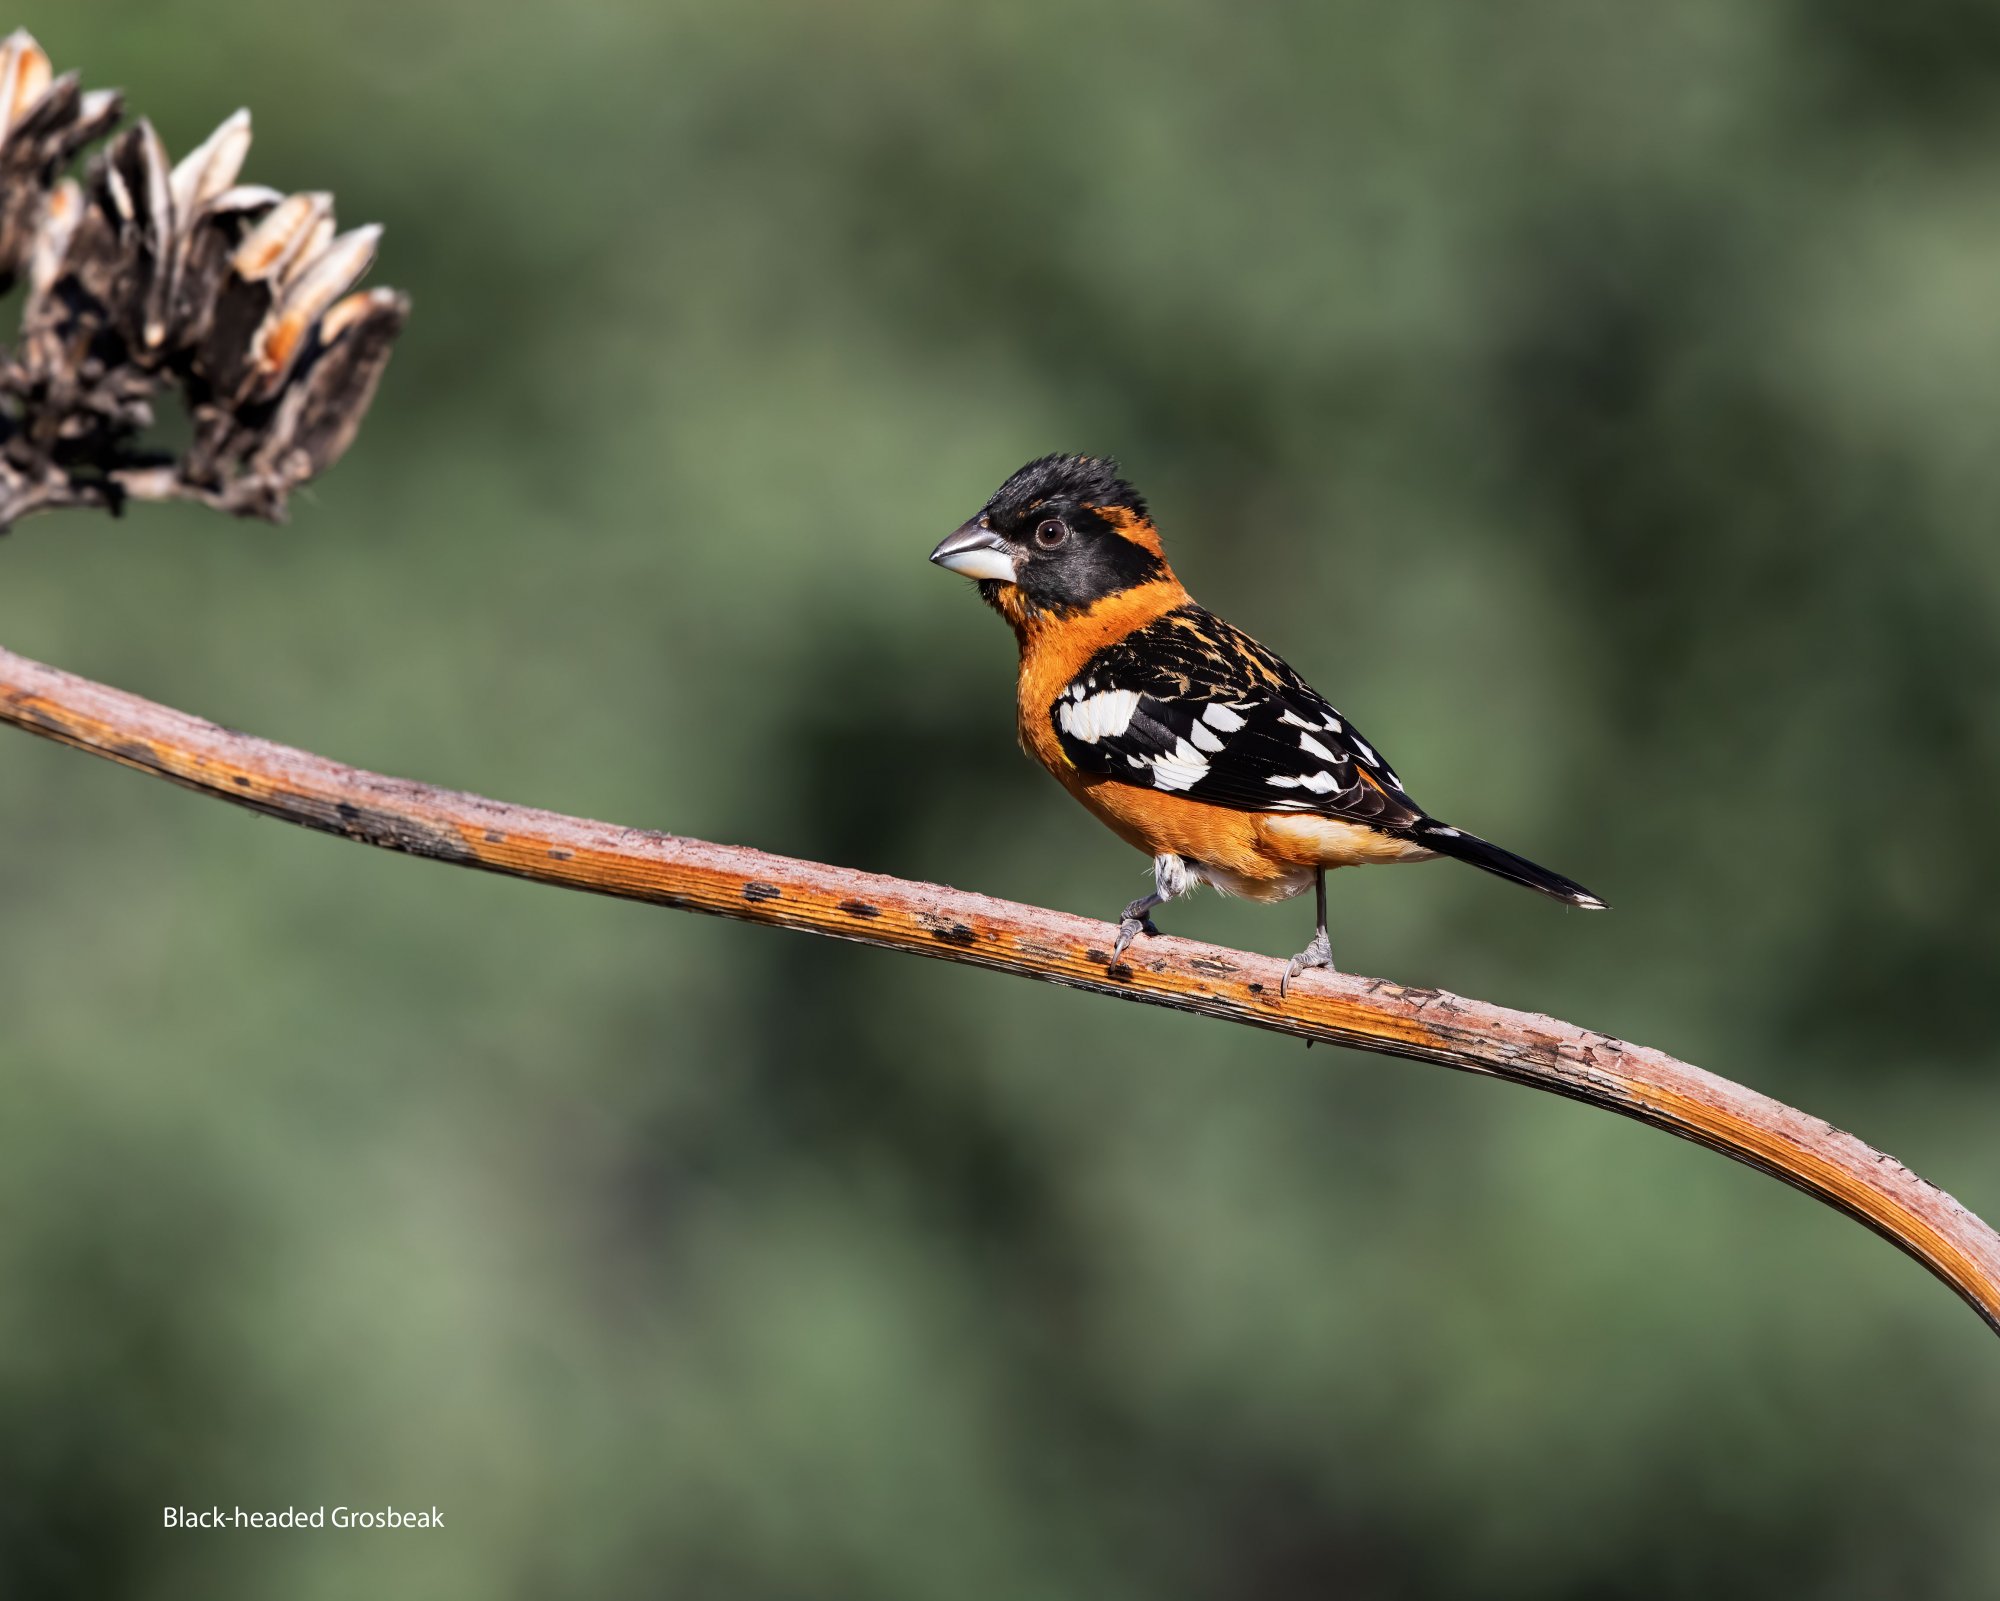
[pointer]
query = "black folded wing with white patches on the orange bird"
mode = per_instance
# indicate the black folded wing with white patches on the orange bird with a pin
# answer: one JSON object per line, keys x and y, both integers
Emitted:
{"x": 1195, "y": 707}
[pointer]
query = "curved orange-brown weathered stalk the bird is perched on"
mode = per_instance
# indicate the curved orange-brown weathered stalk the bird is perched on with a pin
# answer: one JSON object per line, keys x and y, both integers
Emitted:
{"x": 953, "y": 926}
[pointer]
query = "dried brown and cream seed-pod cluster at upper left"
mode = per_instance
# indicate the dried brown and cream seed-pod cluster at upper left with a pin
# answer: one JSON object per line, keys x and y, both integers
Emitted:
{"x": 149, "y": 277}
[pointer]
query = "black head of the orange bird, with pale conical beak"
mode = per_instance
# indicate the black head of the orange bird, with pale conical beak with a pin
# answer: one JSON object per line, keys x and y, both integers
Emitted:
{"x": 1057, "y": 537}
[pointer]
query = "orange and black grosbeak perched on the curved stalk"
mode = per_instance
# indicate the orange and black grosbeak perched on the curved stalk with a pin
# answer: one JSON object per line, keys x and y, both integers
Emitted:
{"x": 1179, "y": 731}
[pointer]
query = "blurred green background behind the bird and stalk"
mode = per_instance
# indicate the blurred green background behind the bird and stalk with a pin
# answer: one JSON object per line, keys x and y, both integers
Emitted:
{"x": 1599, "y": 401}
